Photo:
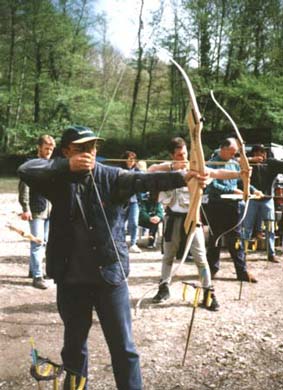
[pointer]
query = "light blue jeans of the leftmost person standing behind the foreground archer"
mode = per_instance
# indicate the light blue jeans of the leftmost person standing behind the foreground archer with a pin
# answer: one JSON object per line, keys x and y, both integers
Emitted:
{"x": 39, "y": 228}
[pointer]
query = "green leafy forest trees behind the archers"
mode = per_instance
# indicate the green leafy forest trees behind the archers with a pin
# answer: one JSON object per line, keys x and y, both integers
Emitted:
{"x": 58, "y": 67}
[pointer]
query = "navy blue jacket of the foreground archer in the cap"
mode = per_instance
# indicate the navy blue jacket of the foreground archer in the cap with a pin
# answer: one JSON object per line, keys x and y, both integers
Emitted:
{"x": 86, "y": 237}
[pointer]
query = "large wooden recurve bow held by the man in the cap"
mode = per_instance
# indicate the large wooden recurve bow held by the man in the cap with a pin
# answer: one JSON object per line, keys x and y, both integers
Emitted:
{"x": 197, "y": 163}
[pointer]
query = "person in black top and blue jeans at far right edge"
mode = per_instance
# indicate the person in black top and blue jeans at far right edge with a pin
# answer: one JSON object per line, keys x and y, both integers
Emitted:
{"x": 263, "y": 175}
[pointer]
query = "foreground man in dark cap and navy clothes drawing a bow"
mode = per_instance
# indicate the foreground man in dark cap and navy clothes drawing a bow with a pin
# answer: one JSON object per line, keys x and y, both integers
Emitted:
{"x": 87, "y": 255}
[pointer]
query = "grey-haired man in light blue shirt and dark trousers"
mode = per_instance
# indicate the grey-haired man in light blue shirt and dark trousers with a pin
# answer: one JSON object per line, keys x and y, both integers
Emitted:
{"x": 223, "y": 214}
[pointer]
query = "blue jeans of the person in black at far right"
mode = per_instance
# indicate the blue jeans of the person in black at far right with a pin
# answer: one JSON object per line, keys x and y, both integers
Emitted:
{"x": 264, "y": 209}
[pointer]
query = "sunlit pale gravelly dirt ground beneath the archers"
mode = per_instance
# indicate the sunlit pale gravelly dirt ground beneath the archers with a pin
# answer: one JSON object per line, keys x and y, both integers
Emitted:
{"x": 239, "y": 347}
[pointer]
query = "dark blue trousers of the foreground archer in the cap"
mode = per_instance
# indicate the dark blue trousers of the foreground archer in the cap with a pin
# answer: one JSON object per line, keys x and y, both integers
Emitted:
{"x": 75, "y": 305}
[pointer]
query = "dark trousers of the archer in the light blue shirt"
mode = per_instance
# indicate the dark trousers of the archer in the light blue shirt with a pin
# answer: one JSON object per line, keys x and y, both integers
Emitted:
{"x": 222, "y": 216}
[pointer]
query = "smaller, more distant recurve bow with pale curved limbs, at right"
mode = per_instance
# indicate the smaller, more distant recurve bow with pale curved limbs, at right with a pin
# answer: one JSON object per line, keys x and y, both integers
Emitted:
{"x": 244, "y": 164}
